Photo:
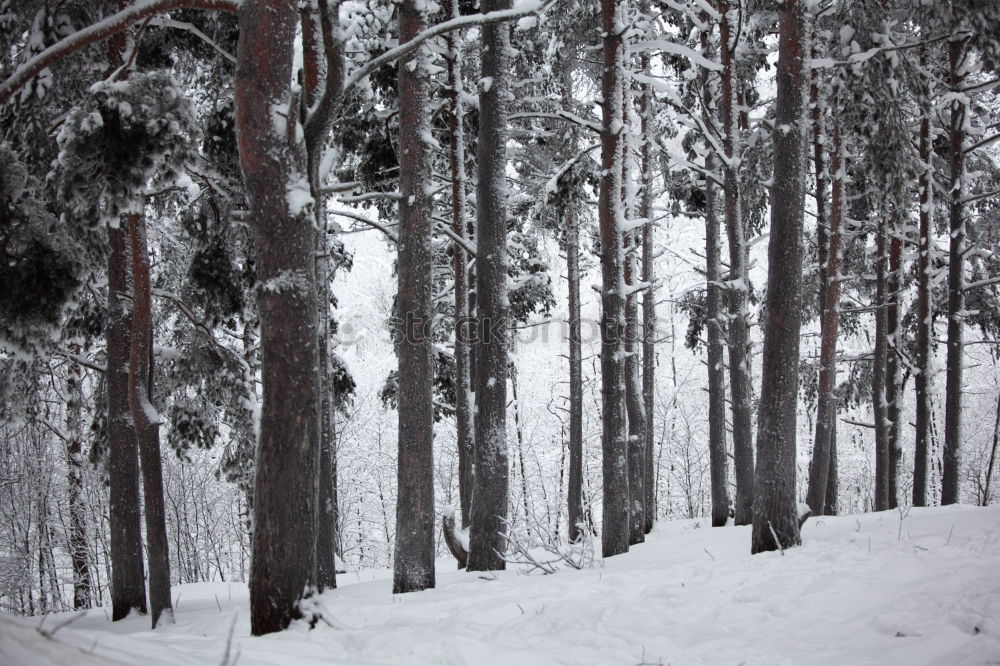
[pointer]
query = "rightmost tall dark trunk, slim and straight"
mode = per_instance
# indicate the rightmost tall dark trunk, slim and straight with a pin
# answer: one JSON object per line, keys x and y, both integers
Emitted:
{"x": 956, "y": 265}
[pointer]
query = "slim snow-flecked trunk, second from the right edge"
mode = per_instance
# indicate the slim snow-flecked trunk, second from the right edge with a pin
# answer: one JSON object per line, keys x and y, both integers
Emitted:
{"x": 924, "y": 320}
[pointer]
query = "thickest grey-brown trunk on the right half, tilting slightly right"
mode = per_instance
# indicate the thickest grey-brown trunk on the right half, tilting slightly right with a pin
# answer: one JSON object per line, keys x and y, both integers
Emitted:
{"x": 775, "y": 519}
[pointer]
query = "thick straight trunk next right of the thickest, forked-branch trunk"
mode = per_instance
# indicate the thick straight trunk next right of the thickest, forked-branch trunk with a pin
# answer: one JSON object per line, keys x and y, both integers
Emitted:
{"x": 414, "y": 549}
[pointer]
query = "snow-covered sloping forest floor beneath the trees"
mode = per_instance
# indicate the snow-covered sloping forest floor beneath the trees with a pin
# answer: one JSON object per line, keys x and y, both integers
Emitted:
{"x": 917, "y": 587}
